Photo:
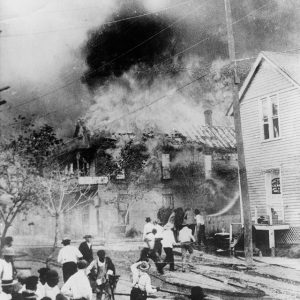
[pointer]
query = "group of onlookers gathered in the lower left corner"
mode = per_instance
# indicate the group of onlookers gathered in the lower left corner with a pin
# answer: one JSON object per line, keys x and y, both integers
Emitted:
{"x": 82, "y": 275}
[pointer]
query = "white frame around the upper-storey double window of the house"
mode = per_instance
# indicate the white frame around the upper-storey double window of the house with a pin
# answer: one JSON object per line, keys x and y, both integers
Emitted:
{"x": 270, "y": 117}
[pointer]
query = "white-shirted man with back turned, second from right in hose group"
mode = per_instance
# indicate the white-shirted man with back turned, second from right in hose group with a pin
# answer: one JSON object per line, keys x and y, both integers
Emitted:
{"x": 185, "y": 238}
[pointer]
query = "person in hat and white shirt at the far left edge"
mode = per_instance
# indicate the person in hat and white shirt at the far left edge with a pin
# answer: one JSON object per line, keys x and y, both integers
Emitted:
{"x": 7, "y": 270}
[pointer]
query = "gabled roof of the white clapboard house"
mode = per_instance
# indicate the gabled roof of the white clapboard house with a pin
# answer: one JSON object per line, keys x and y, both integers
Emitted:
{"x": 288, "y": 64}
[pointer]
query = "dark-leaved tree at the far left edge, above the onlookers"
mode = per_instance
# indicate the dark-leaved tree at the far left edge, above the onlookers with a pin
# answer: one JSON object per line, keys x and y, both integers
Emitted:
{"x": 22, "y": 161}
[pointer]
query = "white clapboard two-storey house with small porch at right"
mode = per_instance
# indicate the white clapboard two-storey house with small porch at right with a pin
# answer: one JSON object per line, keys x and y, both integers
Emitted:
{"x": 270, "y": 115}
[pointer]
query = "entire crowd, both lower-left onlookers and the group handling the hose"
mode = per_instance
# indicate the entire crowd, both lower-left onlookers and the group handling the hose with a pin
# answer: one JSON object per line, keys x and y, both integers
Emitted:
{"x": 84, "y": 275}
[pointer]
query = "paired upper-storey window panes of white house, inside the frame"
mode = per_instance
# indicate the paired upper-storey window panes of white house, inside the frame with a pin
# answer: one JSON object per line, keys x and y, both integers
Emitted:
{"x": 270, "y": 120}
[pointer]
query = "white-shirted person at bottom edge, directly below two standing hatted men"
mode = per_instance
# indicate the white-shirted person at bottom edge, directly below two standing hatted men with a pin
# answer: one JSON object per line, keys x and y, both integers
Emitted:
{"x": 78, "y": 285}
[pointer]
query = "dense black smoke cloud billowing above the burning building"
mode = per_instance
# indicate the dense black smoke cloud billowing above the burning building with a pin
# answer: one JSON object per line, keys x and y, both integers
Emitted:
{"x": 109, "y": 49}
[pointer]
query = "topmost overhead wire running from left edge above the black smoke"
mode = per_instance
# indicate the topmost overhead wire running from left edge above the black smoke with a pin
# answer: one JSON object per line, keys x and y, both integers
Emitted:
{"x": 106, "y": 23}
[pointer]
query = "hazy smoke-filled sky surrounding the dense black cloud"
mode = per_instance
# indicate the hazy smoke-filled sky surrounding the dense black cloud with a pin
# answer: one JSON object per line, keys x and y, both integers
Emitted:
{"x": 43, "y": 57}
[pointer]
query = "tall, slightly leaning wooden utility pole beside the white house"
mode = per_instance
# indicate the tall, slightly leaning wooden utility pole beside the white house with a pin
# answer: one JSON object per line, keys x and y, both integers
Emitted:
{"x": 248, "y": 247}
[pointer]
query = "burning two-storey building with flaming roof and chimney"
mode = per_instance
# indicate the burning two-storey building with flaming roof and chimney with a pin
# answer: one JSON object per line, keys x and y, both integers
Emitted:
{"x": 193, "y": 167}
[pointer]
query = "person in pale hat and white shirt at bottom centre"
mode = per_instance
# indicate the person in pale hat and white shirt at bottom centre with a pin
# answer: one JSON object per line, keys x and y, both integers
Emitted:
{"x": 141, "y": 285}
